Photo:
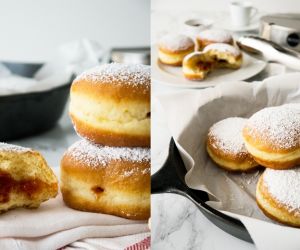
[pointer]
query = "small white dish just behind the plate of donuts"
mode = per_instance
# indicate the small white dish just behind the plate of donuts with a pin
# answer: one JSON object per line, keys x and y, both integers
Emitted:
{"x": 192, "y": 27}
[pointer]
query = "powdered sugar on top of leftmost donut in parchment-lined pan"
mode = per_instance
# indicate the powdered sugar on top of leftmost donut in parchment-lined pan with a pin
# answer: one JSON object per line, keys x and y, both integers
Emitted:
{"x": 227, "y": 135}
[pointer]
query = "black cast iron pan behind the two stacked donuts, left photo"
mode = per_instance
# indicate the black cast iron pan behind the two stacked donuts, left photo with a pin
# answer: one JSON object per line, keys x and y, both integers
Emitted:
{"x": 28, "y": 114}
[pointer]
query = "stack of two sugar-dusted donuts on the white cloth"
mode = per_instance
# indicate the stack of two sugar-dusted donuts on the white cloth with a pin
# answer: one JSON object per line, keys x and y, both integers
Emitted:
{"x": 108, "y": 170}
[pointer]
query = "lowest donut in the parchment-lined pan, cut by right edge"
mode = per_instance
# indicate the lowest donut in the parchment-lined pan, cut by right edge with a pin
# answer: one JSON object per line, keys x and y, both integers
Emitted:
{"x": 278, "y": 196}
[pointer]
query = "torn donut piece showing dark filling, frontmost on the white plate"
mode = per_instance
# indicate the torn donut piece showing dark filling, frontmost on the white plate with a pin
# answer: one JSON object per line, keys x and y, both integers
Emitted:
{"x": 197, "y": 65}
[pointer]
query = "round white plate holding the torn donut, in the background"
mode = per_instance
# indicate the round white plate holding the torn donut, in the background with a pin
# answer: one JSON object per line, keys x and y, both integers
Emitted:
{"x": 173, "y": 76}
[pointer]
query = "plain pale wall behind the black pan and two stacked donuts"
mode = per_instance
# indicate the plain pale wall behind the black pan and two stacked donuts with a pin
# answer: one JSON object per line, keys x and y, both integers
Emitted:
{"x": 33, "y": 29}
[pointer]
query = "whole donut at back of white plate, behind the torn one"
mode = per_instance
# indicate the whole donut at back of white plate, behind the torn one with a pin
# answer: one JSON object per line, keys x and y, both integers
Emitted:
{"x": 210, "y": 36}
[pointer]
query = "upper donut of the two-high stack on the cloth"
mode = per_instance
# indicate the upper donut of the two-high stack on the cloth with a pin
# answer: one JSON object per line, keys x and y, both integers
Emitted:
{"x": 110, "y": 105}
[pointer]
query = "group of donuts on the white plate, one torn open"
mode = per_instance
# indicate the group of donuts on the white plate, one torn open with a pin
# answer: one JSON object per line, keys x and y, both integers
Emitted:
{"x": 212, "y": 49}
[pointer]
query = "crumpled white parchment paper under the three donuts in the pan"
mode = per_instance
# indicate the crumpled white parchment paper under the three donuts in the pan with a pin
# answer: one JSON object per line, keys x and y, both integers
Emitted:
{"x": 190, "y": 113}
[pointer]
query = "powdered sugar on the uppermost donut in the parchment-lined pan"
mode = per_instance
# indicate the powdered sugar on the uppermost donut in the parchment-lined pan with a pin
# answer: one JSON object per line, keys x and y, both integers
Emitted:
{"x": 278, "y": 127}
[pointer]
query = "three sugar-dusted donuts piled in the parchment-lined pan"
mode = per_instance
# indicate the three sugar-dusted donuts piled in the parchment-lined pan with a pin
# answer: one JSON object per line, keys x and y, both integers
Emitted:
{"x": 270, "y": 138}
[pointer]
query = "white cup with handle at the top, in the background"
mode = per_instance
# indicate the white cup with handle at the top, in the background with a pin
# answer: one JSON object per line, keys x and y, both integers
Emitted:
{"x": 242, "y": 12}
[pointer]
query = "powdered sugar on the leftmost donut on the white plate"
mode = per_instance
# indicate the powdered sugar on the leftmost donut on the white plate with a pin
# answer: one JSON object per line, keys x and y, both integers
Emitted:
{"x": 174, "y": 42}
